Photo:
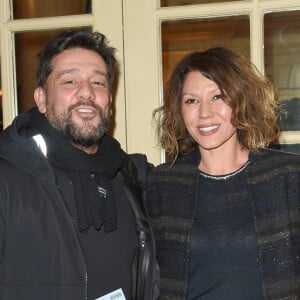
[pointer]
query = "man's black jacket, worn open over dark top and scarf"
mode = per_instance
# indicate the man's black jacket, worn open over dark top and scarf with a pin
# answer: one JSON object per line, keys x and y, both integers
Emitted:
{"x": 40, "y": 253}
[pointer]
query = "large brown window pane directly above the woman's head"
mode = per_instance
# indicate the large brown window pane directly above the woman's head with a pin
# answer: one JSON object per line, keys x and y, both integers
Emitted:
{"x": 181, "y": 37}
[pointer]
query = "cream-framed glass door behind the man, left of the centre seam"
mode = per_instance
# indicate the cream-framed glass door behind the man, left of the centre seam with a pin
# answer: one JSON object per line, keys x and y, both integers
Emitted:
{"x": 26, "y": 25}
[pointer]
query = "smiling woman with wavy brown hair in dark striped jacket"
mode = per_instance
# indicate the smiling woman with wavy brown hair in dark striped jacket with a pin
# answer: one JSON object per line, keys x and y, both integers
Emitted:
{"x": 226, "y": 210}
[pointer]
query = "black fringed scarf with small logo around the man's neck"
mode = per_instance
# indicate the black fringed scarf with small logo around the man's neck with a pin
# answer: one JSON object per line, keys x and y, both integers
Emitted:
{"x": 90, "y": 173}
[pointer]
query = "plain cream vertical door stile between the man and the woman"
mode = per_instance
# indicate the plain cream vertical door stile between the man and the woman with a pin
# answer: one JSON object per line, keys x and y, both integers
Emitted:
{"x": 142, "y": 77}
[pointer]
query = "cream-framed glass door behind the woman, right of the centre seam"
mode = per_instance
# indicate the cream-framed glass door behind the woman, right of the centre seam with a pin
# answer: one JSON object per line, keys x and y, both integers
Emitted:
{"x": 160, "y": 33}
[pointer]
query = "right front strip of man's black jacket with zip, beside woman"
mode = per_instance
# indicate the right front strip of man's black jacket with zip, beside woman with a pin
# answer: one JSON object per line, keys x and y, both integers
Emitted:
{"x": 134, "y": 174}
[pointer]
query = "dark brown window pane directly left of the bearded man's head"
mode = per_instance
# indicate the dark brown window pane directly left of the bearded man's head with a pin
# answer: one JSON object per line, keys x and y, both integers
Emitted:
{"x": 28, "y": 44}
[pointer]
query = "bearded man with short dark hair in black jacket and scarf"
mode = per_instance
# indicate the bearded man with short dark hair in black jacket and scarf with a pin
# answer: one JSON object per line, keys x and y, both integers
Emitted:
{"x": 72, "y": 223}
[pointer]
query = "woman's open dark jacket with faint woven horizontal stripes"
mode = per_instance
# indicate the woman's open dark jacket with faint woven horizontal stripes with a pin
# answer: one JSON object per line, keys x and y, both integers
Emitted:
{"x": 274, "y": 189}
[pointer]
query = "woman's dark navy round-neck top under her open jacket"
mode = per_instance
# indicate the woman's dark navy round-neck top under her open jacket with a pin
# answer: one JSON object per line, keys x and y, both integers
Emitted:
{"x": 223, "y": 247}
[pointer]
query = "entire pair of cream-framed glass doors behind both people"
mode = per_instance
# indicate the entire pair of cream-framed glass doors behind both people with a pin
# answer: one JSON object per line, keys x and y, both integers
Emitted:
{"x": 150, "y": 37}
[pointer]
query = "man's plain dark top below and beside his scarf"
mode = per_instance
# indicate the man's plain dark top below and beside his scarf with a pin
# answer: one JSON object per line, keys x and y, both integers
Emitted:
{"x": 108, "y": 254}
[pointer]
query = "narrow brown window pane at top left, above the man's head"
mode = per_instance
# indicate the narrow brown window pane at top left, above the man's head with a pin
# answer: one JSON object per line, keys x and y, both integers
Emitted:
{"x": 53, "y": 8}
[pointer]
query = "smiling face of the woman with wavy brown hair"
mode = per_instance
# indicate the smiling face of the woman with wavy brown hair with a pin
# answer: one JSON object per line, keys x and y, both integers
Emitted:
{"x": 206, "y": 116}
